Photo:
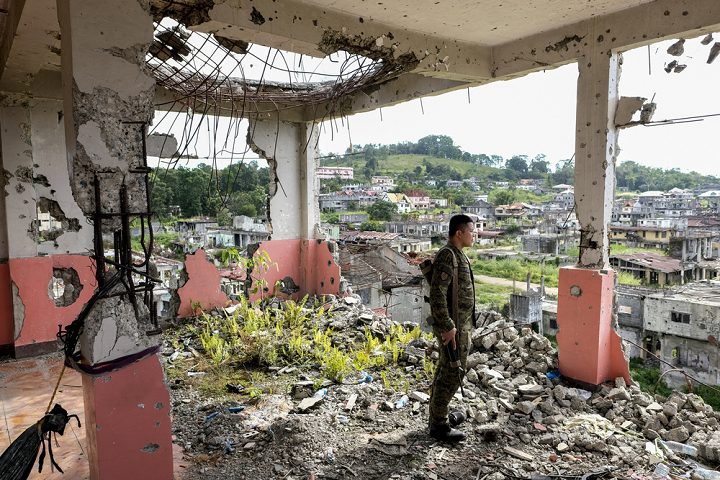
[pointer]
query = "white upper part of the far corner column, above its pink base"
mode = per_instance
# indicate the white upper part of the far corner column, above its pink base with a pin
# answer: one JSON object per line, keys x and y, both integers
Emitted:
{"x": 292, "y": 154}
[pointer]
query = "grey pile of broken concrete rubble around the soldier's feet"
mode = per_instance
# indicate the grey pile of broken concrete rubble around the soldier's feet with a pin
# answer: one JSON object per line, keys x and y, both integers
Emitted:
{"x": 523, "y": 421}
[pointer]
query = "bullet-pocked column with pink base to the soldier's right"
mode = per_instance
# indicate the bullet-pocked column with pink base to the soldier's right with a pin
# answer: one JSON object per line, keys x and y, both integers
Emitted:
{"x": 590, "y": 349}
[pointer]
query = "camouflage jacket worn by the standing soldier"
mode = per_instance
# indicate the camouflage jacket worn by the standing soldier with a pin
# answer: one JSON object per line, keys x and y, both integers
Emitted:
{"x": 441, "y": 290}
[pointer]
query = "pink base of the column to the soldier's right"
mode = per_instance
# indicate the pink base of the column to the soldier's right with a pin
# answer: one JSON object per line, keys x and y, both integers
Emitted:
{"x": 589, "y": 349}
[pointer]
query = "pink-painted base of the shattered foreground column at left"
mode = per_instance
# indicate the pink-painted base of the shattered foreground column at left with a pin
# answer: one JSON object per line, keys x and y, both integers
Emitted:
{"x": 124, "y": 412}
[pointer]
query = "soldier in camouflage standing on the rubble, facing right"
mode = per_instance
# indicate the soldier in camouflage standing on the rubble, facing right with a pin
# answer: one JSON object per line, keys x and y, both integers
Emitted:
{"x": 446, "y": 382}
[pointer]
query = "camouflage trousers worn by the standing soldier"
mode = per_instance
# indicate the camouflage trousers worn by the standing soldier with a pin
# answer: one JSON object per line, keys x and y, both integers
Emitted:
{"x": 445, "y": 382}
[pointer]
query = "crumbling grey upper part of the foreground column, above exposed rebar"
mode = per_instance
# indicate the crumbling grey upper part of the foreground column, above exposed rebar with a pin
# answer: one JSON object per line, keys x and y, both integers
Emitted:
{"x": 106, "y": 82}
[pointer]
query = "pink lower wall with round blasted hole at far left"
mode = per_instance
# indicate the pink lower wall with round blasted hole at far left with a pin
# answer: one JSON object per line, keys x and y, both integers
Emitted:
{"x": 32, "y": 276}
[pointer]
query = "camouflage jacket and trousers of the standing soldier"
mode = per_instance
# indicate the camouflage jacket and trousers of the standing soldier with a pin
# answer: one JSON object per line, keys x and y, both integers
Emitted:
{"x": 446, "y": 383}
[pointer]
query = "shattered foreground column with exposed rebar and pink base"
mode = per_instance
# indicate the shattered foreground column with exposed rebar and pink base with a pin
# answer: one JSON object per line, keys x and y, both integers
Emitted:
{"x": 107, "y": 89}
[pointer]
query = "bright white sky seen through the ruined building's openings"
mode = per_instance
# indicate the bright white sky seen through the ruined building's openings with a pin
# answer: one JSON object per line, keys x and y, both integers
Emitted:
{"x": 535, "y": 115}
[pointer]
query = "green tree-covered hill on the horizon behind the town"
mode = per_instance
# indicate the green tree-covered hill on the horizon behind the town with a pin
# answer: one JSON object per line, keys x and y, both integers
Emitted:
{"x": 437, "y": 157}
